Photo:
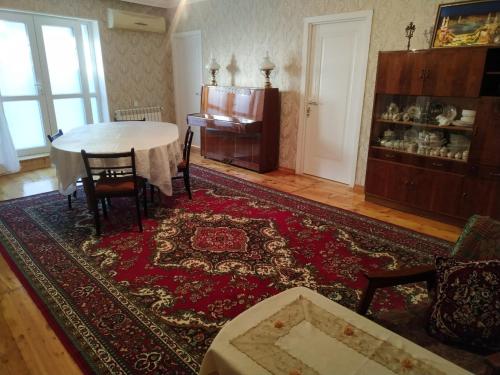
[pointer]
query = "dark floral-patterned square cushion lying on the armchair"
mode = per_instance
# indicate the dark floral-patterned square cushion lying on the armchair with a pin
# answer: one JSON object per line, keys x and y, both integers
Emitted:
{"x": 466, "y": 309}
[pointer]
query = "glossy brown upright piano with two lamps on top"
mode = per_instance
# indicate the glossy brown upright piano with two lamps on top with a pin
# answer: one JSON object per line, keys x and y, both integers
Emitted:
{"x": 240, "y": 126}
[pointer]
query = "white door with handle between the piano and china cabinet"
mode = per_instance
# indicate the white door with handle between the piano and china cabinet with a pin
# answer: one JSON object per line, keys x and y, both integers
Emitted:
{"x": 337, "y": 61}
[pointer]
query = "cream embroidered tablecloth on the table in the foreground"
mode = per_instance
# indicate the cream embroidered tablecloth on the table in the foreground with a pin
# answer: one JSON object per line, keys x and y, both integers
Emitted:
{"x": 300, "y": 332}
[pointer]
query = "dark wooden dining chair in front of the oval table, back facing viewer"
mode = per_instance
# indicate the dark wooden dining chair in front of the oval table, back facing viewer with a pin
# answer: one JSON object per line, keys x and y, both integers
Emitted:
{"x": 119, "y": 181}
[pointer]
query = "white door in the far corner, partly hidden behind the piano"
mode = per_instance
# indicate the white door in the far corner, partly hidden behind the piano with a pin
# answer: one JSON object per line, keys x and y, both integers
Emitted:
{"x": 187, "y": 78}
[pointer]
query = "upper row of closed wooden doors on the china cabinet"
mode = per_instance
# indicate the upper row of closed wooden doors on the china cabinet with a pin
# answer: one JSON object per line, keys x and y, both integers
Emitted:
{"x": 443, "y": 72}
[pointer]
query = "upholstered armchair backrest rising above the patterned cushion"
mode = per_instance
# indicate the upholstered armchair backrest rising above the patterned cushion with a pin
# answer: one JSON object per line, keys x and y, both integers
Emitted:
{"x": 479, "y": 240}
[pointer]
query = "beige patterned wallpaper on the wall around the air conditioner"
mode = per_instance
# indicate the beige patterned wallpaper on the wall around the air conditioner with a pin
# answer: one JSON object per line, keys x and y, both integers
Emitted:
{"x": 137, "y": 65}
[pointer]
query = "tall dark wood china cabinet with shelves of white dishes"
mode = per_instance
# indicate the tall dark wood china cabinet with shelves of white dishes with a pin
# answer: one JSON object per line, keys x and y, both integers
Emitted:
{"x": 439, "y": 186}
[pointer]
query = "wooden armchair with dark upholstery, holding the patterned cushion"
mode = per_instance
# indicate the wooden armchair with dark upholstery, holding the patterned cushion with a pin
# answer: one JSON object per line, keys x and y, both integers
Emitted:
{"x": 412, "y": 323}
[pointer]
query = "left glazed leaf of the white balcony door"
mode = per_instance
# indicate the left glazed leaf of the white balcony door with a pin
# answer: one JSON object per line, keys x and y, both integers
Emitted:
{"x": 20, "y": 96}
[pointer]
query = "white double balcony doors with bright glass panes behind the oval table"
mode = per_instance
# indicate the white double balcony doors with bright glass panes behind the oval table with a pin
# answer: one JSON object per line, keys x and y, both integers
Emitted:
{"x": 48, "y": 78}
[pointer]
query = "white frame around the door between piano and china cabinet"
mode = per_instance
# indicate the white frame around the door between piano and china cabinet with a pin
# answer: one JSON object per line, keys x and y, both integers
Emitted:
{"x": 366, "y": 17}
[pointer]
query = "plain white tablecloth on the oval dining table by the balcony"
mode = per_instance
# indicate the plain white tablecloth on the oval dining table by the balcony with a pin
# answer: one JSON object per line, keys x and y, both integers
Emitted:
{"x": 156, "y": 145}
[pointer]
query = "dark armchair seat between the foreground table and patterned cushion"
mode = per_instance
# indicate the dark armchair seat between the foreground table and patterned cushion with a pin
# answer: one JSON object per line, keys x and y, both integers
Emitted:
{"x": 411, "y": 325}
